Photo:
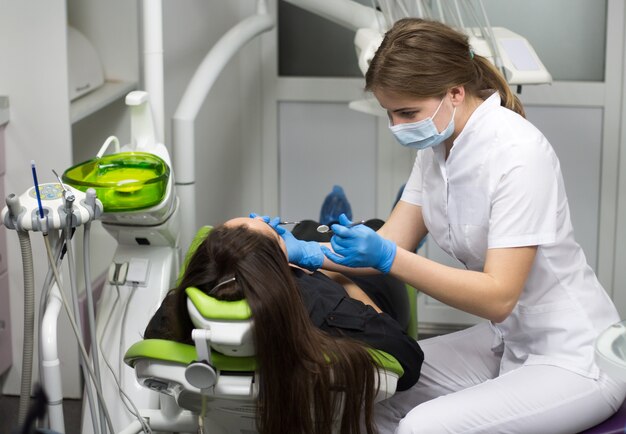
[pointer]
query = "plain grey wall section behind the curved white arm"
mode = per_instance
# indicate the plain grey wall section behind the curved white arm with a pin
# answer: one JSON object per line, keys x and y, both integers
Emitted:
{"x": 228, "y": 125}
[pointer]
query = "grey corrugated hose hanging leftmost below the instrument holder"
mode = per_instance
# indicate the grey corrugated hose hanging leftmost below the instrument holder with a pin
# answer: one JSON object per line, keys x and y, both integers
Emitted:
{"x": 29, "y": 325}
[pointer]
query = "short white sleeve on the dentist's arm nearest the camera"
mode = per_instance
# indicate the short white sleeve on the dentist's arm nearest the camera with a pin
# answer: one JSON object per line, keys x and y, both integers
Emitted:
{"x": 524, "y": 204}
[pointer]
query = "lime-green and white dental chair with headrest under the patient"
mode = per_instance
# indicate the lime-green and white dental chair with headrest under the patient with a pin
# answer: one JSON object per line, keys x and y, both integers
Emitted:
{"x": 213, "y": 384}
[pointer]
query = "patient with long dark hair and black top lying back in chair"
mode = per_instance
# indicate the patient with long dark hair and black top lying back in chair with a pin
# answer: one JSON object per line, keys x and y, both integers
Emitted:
{"x": 308, "y": 328}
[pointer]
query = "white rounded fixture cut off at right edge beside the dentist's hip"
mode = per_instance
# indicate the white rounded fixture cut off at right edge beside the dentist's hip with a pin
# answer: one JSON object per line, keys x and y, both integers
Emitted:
{"x": 611, "y": 351}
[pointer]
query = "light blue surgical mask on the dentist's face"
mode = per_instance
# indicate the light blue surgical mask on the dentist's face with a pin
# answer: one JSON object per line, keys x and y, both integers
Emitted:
{"x": 422, "y": 134}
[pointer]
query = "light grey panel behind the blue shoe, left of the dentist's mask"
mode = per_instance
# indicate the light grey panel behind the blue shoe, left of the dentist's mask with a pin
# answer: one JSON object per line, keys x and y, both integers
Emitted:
{"x": 324, "y": 144}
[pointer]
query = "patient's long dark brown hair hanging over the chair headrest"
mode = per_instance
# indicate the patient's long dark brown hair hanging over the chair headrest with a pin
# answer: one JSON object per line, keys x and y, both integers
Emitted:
{"x": 300, "y": 367}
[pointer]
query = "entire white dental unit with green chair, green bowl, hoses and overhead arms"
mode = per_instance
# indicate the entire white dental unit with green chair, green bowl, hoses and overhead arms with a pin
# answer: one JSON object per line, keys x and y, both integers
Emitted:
{"x": 134, "y": 385}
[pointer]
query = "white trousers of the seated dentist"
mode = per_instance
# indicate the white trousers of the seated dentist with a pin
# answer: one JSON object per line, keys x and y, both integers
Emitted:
{"x": 459, "y": 391}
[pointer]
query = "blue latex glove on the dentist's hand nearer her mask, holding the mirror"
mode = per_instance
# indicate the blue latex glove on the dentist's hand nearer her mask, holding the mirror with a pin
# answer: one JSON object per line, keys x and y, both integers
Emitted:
{"x": 360, "y": 246}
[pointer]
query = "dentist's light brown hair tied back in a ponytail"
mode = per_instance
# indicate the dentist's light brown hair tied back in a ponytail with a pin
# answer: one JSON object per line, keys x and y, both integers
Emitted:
{"x": 424, "y": 59}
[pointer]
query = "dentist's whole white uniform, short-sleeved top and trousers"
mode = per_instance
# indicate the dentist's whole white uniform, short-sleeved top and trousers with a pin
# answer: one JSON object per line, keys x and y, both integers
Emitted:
{"x": 534, "y": 372}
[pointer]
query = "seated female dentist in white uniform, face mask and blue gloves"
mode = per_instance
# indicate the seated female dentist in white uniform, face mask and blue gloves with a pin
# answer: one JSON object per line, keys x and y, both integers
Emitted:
{"x": 487, "y": 186}
